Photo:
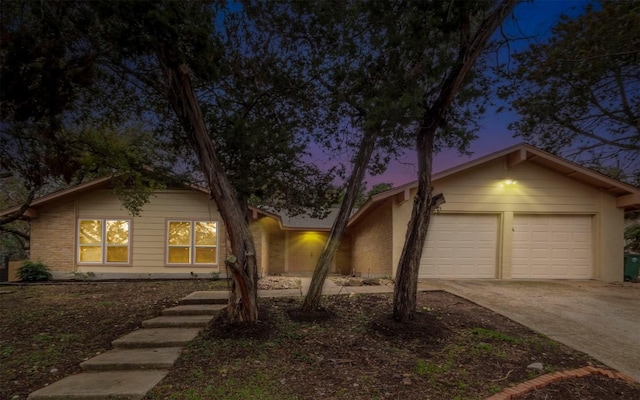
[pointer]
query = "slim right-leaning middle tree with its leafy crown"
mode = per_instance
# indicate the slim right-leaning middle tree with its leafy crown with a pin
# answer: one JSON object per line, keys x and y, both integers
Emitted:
{"x": 359, "y": 81}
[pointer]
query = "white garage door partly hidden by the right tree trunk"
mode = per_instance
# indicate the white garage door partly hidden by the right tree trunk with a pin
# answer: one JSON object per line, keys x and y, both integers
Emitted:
{"x": 460, "y": 246}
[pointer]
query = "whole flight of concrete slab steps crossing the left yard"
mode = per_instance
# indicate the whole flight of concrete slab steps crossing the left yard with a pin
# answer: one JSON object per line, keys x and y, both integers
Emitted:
{"x": 140, "y": 359}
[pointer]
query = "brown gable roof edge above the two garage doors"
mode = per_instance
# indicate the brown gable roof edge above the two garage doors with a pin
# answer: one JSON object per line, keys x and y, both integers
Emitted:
{"x": 627, "y": 196}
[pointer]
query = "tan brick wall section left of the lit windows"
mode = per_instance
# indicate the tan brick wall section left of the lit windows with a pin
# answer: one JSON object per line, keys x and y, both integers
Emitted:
{"x": 53, "y": 237}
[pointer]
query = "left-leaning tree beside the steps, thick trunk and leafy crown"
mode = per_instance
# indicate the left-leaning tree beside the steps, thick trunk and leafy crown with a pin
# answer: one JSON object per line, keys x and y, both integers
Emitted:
{"x": 238, "y": 98}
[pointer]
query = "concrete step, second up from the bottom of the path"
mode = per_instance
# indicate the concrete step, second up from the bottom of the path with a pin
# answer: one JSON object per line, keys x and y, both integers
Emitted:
{"x": 133, "y": 359}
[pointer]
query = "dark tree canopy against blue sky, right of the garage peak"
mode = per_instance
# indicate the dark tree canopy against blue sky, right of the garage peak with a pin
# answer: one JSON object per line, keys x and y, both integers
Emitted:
{"x": 578, "y": 93}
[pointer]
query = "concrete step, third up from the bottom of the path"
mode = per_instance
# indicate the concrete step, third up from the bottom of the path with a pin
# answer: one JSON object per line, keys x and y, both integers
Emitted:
{"x": 156, "y": 337}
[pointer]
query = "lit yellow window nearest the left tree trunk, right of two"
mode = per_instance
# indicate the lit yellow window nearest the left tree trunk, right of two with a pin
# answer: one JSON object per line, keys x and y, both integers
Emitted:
{"x": 192, "y": 242}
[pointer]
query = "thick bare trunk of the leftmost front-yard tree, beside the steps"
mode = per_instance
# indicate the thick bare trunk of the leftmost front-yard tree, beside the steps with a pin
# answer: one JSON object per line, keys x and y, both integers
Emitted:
{"x": 243, "y": 298}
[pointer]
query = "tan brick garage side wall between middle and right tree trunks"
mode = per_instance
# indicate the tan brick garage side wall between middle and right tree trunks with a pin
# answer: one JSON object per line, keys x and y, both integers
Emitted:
{"x": 372, "y": 243}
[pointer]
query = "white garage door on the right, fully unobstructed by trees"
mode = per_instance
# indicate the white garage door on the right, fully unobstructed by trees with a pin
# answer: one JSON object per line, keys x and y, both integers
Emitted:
{"x": 552, "y": 247}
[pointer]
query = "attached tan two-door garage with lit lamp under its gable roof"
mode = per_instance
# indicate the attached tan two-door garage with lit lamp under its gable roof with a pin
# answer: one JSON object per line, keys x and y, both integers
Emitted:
{"x": 520, "y": 213}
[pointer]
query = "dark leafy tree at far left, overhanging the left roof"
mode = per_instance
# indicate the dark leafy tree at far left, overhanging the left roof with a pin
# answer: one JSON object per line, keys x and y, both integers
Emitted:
{"x": 61, "y": 121}
